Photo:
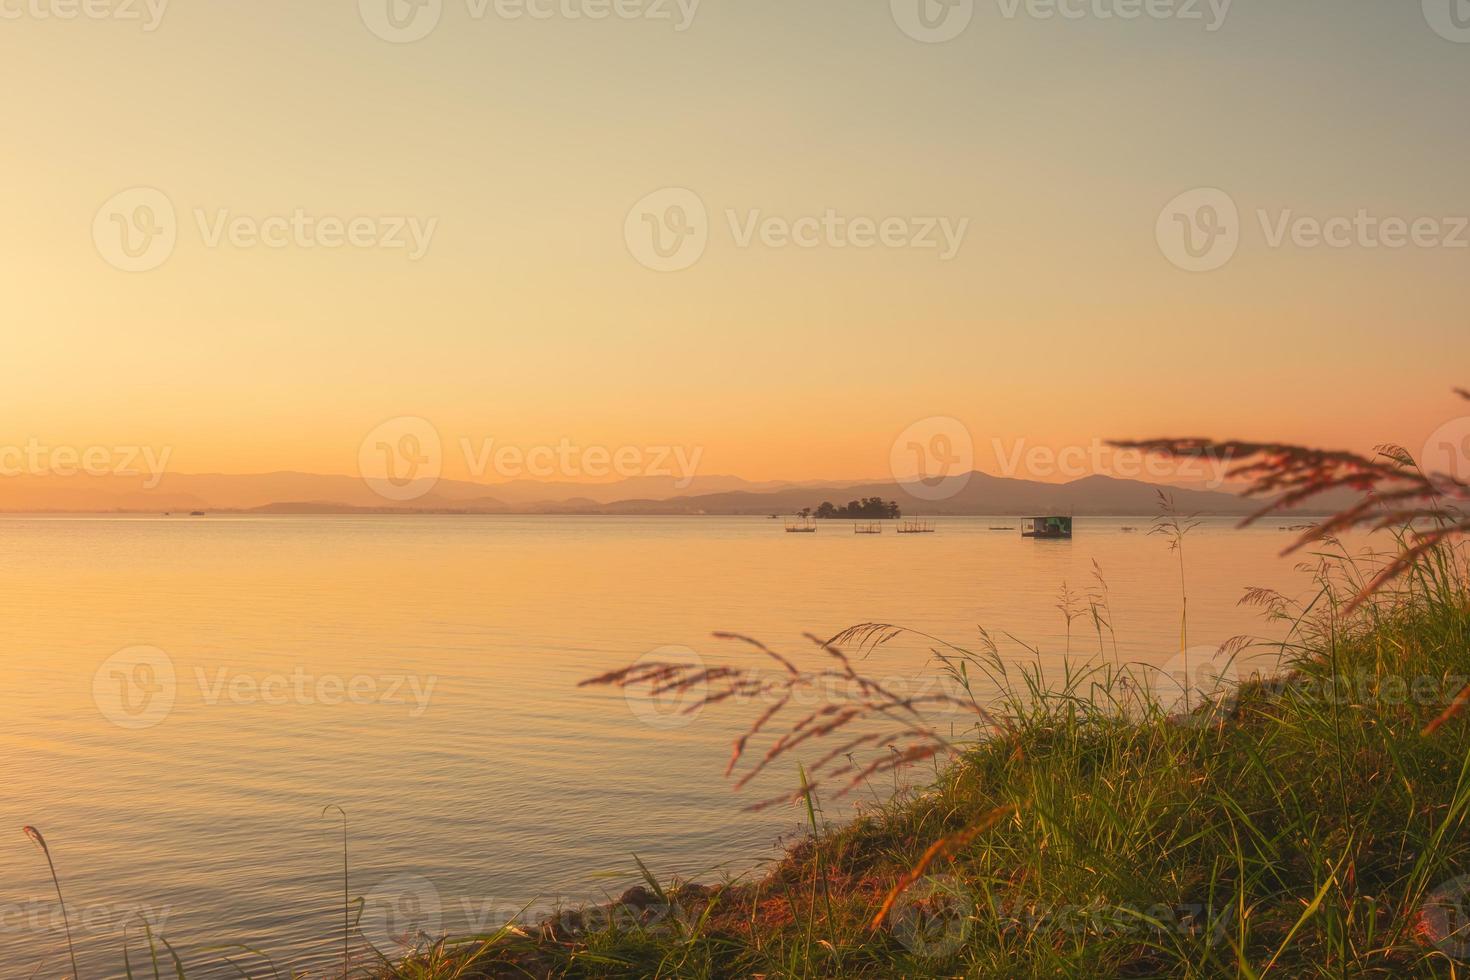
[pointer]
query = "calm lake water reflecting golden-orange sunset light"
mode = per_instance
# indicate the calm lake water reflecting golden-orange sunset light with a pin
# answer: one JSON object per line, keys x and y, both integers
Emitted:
{"x": 186, "y": 696}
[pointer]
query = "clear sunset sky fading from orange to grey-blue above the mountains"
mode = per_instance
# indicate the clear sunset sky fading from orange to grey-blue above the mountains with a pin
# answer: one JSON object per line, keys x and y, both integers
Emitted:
{"x": 783, "y": 234}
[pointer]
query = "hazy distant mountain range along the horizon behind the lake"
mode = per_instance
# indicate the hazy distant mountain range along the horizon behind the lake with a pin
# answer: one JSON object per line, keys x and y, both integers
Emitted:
{"x": 315, "y": 494}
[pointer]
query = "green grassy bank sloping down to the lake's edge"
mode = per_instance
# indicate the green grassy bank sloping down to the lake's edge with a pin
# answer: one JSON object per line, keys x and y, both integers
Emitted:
{"x": 1309, "y": 821}
